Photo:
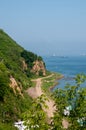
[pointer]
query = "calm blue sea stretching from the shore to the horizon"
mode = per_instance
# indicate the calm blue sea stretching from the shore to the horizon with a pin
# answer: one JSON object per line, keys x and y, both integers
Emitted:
{"x": 69, "y": 66}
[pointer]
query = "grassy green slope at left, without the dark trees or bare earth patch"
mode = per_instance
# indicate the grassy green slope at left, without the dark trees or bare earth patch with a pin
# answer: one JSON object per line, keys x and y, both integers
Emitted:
{"x": 11, "y": 105}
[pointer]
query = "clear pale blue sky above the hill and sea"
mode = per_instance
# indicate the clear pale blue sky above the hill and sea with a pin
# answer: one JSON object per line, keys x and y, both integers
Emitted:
{"x": 46, "y": 27}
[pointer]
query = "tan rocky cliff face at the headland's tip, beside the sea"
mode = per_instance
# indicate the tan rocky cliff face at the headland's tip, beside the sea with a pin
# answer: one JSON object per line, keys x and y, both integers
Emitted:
{"x": 39, "y": 68}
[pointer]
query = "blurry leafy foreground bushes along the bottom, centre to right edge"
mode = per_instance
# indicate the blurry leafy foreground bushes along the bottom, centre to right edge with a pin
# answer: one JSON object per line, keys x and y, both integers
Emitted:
{"x": 72, "y": 99}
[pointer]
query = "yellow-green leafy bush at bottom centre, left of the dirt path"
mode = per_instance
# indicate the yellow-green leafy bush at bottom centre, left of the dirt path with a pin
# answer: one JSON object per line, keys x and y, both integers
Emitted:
{"x": 35, "y": 118}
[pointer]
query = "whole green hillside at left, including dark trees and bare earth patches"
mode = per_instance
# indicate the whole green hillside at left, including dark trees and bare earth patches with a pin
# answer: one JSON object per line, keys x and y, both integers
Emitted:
{"x": 15, "y": 66}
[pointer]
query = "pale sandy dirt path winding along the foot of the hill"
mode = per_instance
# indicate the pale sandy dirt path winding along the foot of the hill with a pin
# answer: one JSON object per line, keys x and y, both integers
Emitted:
{"x": 36, "y": 91}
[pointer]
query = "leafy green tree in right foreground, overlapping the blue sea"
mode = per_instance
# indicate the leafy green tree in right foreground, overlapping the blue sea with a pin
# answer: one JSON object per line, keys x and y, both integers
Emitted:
{"x": 73, "y": 96}
